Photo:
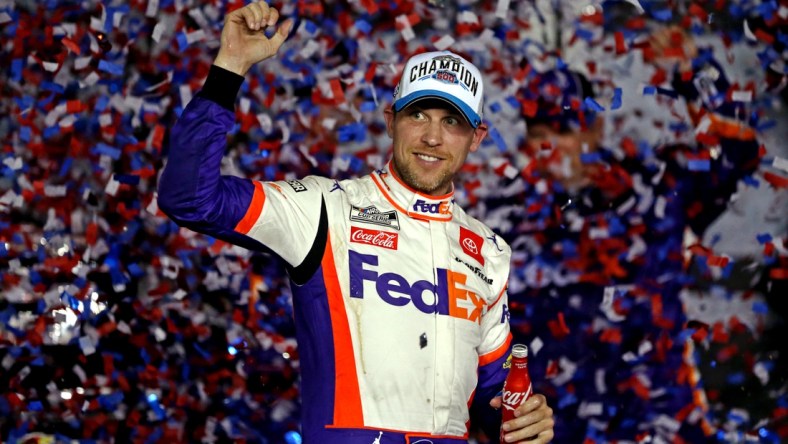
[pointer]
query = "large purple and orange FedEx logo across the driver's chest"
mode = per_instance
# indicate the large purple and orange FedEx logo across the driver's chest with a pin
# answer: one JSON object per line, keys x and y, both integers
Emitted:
{"x": 446, "y": 297}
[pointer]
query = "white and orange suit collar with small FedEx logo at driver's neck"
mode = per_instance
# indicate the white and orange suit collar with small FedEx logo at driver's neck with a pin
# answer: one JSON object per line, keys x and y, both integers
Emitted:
{"x": 411, "y": 202}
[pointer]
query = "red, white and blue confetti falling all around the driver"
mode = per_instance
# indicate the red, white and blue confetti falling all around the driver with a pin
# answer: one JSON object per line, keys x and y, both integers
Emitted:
{"x": 146, "y": 325}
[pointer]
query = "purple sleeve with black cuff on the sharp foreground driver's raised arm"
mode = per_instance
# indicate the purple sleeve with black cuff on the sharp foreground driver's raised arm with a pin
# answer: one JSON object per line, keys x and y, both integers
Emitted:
{"x": 192, "y": 192}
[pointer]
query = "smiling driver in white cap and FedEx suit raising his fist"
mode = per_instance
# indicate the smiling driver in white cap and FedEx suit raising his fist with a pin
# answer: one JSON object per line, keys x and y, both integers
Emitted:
{"x": 399, "y": 296}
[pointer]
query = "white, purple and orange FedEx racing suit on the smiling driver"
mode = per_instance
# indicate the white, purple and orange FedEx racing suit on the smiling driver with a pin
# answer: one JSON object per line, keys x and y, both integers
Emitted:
{"x": 399, "y": 298}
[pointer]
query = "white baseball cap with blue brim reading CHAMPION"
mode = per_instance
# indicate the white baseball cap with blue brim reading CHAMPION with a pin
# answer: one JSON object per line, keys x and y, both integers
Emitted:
{"x": 442, "y": 75}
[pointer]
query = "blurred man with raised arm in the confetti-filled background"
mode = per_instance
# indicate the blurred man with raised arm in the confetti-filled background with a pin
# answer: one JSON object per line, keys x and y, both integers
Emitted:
{"x": 600, "y": 232}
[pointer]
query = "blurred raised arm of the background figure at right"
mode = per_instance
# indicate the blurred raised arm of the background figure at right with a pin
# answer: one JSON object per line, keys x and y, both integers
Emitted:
{"x": 726, "y": 148}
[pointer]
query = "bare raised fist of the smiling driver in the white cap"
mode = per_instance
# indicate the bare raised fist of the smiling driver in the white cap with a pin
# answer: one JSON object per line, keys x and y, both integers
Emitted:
{"x": 244, "y": 42}
